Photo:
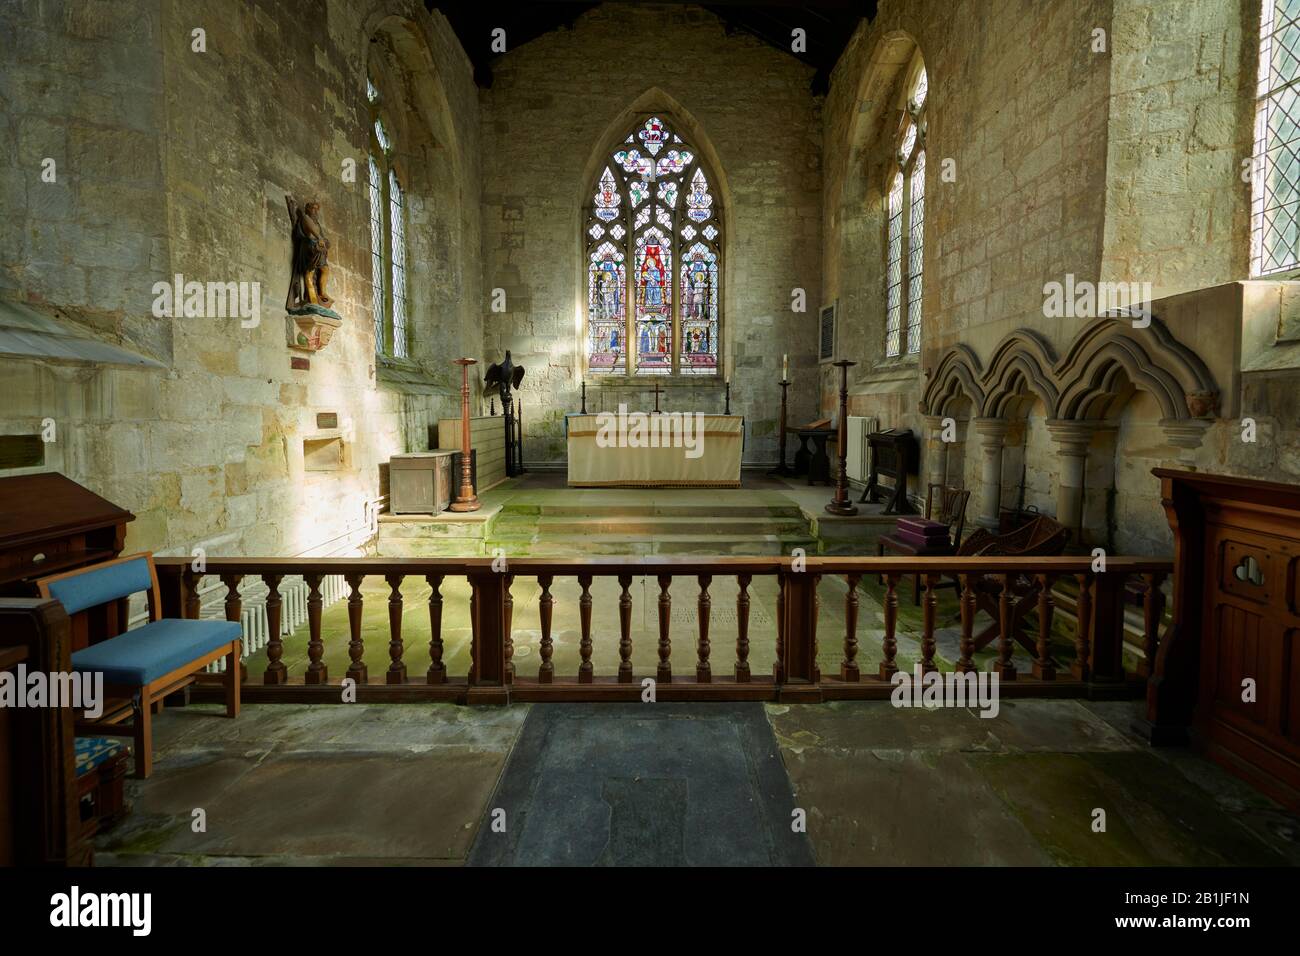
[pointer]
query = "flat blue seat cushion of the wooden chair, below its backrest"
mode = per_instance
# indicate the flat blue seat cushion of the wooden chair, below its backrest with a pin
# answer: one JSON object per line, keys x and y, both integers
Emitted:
{"x": 159, "y": 648}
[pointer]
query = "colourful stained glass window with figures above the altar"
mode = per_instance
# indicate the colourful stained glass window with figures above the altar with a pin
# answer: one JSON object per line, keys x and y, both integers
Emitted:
{"x": 655, "y": 227}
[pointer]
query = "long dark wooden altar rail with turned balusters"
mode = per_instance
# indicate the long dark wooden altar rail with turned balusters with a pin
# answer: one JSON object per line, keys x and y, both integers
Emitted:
{"x": 1019, "y": 590}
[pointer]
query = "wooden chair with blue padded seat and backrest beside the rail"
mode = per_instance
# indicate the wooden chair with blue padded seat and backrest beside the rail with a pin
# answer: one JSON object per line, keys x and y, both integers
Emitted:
{"x": 150, "y": 663}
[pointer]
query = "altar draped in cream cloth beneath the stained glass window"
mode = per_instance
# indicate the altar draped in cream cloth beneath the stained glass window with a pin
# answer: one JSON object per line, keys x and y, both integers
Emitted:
{"x": 631, "y": 449}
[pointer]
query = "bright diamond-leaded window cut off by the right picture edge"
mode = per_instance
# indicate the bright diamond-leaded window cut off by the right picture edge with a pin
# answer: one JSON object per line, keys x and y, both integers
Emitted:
{"x": 1276, "y": 168}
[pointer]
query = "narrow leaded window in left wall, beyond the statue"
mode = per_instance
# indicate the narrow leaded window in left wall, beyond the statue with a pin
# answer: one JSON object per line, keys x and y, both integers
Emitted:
{"x": 388, "y": 236}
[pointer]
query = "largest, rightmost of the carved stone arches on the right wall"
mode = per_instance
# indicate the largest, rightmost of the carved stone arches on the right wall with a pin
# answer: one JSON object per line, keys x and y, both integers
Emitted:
{"x": 1111, "y": 354}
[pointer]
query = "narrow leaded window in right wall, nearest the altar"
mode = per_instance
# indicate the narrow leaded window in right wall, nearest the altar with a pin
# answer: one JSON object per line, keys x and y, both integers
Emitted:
{"x": 905, "y": 222}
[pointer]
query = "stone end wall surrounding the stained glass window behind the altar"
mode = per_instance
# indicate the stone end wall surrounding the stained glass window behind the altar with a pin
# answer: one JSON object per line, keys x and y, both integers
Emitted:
{"x": 556, "y": 105}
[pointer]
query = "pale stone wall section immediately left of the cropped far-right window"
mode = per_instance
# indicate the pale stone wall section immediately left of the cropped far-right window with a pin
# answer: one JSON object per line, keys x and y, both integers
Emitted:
{"x": 1182, "y": 122}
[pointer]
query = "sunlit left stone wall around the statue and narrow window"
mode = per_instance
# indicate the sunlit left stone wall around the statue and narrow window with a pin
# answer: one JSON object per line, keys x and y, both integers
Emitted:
{"x": 177, "y": 161}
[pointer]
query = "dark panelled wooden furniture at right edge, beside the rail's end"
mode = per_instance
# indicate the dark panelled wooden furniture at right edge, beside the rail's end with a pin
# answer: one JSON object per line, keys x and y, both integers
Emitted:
{"x": 1230, "y": 665}
